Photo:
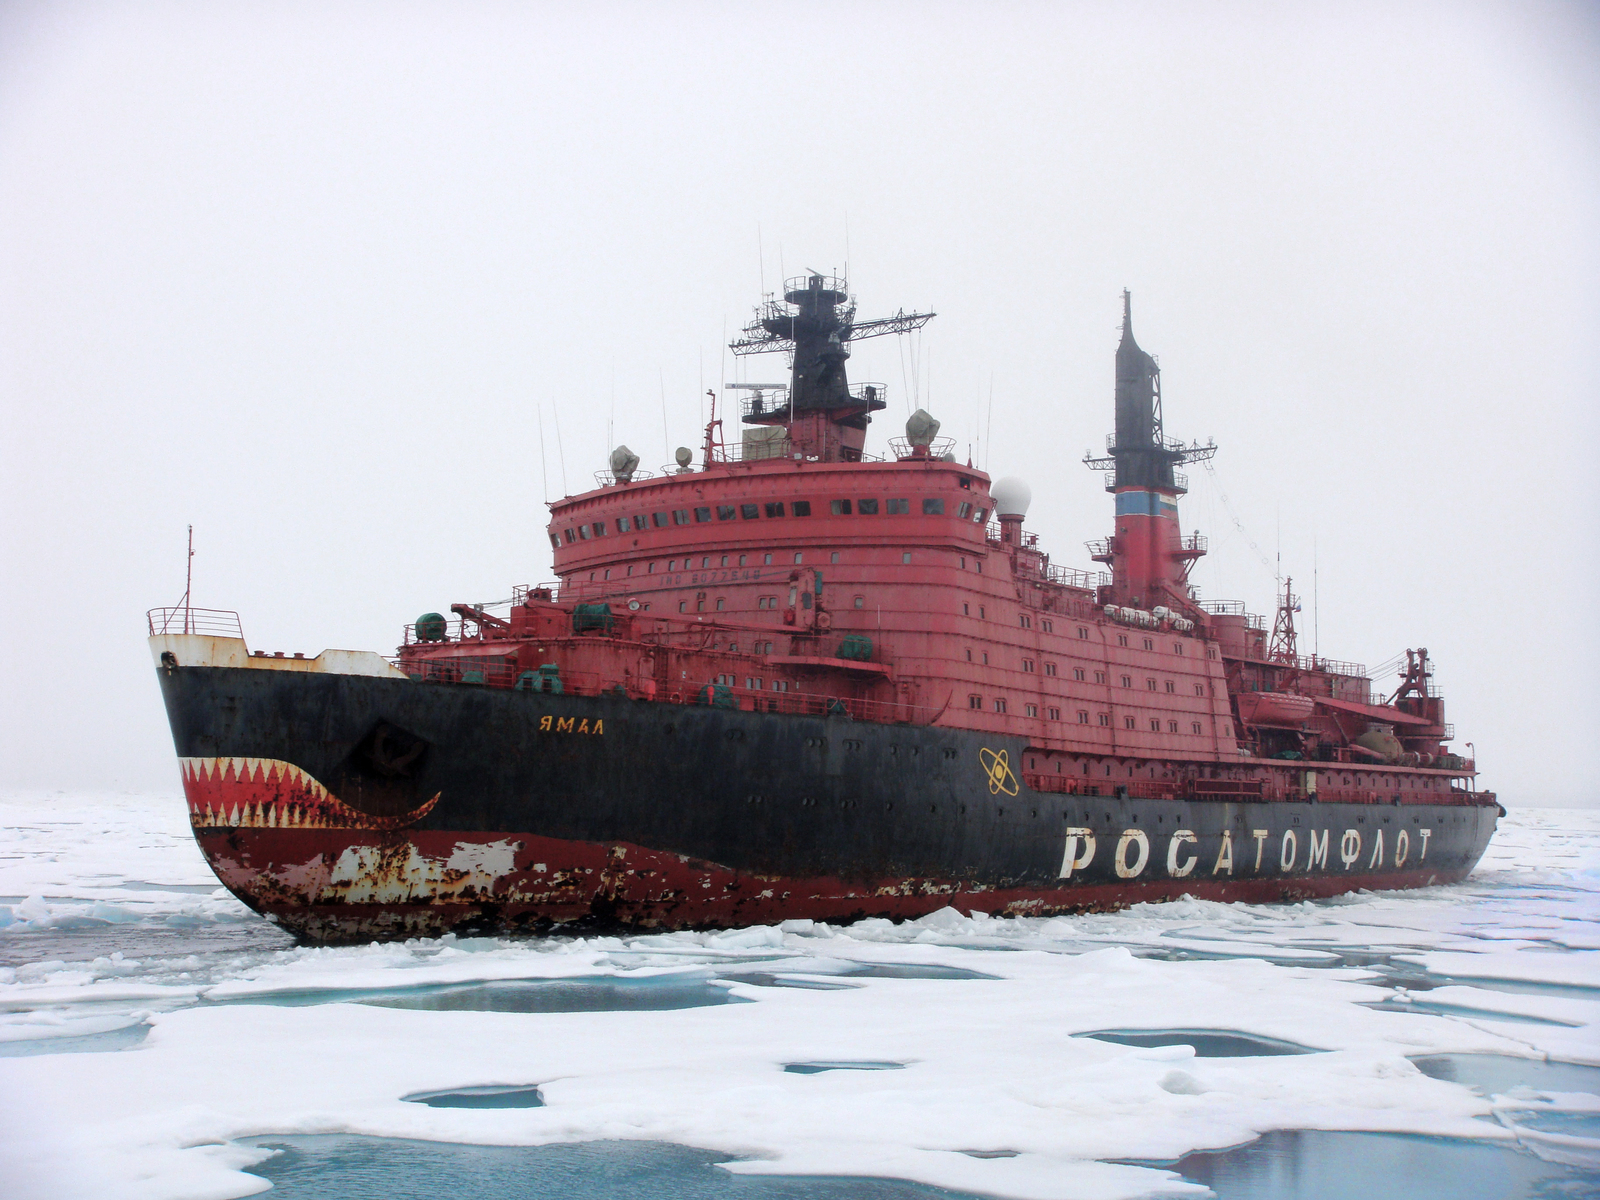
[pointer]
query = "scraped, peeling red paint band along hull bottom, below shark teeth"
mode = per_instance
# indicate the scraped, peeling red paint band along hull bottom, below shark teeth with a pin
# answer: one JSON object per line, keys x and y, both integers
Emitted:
{"x": 340, "y": 886}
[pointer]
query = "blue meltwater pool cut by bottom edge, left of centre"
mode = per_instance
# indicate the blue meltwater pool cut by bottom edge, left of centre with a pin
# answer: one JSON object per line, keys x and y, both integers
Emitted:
{"x": 383, "y": 1169}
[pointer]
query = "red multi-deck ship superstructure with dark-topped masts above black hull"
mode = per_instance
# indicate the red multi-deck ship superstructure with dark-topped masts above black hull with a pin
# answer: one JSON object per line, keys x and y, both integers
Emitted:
{"x": 793, "y": 572}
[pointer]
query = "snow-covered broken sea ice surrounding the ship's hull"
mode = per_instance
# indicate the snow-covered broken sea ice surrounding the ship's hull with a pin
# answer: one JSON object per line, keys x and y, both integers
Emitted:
{"x": 198, "y": 1026}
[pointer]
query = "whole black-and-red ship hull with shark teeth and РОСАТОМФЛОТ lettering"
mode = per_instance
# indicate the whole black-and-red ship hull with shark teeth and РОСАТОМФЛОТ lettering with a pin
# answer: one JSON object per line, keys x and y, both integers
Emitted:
{"x": 350, "y": 809}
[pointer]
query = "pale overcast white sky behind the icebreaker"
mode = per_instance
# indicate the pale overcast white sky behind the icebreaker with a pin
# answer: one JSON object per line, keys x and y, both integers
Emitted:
{"x": 313, "y": 276}
